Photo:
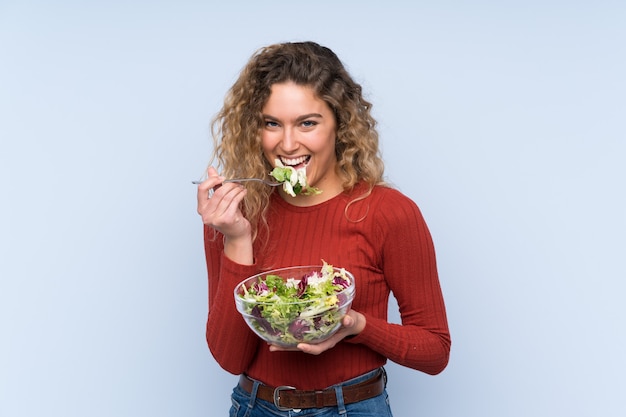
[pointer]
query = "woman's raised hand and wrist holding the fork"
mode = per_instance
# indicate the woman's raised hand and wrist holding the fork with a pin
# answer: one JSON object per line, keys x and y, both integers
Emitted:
{"x": 219, "y": 206}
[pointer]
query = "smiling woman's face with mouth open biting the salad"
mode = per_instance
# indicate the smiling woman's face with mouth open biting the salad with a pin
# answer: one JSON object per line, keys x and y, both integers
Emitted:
{"x": 300, "y": 129}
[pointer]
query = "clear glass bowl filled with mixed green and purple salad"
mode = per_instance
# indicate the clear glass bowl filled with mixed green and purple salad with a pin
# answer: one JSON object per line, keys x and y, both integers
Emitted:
{"x": 300, "y": 304}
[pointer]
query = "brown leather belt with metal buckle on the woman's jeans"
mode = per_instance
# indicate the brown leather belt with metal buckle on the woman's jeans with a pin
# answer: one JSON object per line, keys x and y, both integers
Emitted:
{"x": 288, "y": 398}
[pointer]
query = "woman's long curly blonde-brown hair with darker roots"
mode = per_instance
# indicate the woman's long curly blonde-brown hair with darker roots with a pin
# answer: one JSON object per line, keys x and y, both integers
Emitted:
{"x": 236, "y": 129}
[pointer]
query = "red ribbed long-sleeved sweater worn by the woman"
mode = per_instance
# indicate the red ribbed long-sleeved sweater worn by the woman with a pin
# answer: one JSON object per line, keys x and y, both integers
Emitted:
{"x": 390, "y": 249}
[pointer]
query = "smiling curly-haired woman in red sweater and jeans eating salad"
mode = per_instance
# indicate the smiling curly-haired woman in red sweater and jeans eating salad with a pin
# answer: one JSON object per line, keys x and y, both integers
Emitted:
{"x": 296, "y": 103}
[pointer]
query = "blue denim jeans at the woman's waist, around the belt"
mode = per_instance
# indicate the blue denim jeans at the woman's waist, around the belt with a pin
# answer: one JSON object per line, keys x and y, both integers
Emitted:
{"x": 245, "y": 405}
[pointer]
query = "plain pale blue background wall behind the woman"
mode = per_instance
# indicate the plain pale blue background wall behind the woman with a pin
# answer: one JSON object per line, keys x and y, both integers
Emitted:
{"x": 504, "y": 120}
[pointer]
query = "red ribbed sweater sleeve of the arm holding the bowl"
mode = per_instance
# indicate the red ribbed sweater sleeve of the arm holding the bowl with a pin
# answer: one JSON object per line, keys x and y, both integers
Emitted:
{"x": 422, "y": 341}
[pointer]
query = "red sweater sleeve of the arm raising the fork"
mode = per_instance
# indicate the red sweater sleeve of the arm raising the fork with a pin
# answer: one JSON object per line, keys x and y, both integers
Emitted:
{"x": 231, "y": 342}
